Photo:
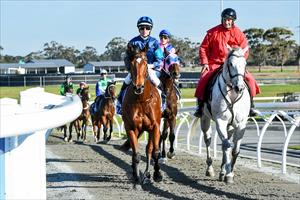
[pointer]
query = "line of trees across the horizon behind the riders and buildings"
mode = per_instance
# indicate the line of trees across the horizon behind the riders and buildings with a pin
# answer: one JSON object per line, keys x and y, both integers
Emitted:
{"x": 267, "y": 47}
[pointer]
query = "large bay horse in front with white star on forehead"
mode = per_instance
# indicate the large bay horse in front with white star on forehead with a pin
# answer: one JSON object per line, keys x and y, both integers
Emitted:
{"x": 141, "y": 112}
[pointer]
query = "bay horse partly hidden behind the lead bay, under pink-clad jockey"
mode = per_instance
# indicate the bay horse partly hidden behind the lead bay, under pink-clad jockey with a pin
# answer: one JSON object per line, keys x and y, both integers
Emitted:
{"x": 170, "y": 74}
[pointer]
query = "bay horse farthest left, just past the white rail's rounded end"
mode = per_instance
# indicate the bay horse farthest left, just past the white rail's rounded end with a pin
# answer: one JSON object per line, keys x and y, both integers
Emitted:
{"x": 84, "y": 117}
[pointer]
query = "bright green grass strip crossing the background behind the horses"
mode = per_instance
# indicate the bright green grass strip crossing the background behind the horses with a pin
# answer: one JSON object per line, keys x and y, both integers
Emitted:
{"x": 267, "y": 90}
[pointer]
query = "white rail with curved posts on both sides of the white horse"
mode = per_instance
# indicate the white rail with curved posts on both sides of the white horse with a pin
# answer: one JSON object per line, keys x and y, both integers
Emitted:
{"x": 279, "y": 110}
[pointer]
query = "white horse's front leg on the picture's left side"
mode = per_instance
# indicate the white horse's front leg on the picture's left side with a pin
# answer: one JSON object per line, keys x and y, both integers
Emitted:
{"x": 225, "y": 174}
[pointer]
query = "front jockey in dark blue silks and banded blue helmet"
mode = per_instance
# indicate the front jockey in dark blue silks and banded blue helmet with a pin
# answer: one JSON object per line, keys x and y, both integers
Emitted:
{"x": 144, "y": 25}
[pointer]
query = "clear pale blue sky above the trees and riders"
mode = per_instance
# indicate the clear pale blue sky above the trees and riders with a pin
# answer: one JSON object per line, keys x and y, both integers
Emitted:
{"x": 27, "y": 25}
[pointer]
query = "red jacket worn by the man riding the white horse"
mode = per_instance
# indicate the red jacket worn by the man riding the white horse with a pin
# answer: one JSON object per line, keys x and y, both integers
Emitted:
{"x": 213, "y": 49}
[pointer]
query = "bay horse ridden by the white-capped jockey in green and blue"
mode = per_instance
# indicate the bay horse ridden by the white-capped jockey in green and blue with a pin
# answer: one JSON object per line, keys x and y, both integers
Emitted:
{"x": 105, "y": 113}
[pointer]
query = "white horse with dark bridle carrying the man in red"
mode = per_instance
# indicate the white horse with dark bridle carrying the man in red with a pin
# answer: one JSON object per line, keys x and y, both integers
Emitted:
{"x": 230, "y": 106}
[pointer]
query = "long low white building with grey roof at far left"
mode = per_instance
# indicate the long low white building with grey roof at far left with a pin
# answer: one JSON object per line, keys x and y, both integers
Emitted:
{"x": 56, "y": 66}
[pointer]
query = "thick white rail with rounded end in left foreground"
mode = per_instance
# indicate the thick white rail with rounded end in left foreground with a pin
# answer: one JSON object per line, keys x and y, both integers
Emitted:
{"x": 22, "y": 140}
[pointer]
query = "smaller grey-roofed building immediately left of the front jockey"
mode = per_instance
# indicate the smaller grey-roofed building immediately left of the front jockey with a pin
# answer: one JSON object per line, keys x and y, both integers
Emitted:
{"x": 110, "y": 66}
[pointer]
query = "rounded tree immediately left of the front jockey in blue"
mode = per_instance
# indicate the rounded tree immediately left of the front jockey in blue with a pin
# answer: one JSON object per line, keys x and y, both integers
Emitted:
{"x": 114, "y": 49}
